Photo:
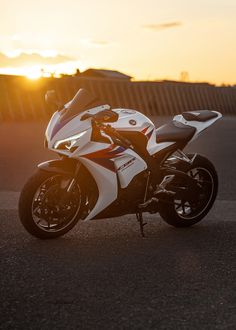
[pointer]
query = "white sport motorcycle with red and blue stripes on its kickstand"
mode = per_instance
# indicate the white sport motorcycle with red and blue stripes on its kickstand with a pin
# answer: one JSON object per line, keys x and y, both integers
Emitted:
{"x": 115, "y": 162}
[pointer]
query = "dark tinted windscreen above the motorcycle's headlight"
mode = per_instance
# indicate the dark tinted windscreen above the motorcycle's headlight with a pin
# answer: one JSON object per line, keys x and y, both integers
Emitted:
{"x": 83, "y": 100}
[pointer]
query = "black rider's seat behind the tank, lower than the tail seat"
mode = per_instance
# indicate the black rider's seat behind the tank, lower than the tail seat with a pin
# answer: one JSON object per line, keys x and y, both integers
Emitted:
{"x": 174, "y": 132}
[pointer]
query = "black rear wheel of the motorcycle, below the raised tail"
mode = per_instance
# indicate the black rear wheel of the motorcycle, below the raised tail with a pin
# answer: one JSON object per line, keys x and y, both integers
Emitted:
{"x": 183, "y": 213}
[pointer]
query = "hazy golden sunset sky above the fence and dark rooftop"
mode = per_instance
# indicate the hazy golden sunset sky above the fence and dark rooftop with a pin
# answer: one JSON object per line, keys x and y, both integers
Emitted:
{"x": 147, "y": 39}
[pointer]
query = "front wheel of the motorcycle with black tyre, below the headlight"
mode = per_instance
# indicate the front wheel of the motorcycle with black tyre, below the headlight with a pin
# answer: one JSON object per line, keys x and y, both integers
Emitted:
{"x": 46, "y": 210}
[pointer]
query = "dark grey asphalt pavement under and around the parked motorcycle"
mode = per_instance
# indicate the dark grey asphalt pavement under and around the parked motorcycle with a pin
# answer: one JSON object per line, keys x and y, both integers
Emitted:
{"x": 102, "y": 275}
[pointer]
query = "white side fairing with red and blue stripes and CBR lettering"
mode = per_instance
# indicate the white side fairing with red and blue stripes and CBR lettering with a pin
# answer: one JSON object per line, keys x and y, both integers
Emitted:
{"x": 109, "y": 164}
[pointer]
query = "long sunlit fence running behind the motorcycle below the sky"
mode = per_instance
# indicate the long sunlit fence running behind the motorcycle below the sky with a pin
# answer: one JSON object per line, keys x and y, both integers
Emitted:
{"x": 22, "y": 99}
